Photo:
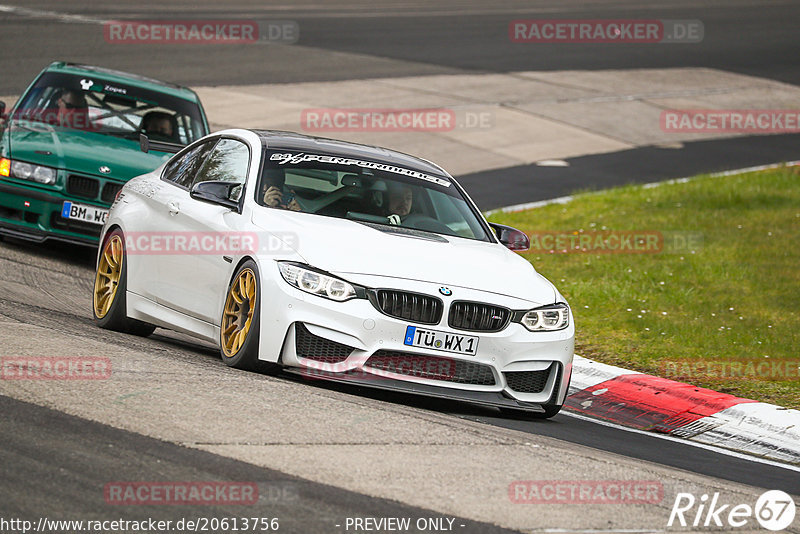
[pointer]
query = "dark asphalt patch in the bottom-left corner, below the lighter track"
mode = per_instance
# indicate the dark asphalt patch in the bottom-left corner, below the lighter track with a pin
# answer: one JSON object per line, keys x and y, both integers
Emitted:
{"x": 107, "y": 453}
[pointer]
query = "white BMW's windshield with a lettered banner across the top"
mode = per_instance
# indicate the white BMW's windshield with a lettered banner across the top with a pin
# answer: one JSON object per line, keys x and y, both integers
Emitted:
{"x": 366, "y": 191}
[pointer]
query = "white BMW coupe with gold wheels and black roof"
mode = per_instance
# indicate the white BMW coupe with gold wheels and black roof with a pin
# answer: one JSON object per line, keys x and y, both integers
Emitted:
{"x": 336, "y": 261}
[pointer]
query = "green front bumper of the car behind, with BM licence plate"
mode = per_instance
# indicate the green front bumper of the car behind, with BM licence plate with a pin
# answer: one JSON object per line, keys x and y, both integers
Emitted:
{"x": 35, "y": 215}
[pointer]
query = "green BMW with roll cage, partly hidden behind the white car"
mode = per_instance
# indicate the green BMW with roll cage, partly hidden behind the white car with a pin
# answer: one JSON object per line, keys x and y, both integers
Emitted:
{"x": 73, "y": 139}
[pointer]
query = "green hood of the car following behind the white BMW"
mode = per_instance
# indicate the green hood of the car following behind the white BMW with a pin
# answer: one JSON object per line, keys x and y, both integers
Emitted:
{"x": 81, "y": 152}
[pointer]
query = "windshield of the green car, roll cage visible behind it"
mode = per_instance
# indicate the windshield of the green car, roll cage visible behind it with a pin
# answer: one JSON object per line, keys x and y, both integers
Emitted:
{"x": 89, "y": 103}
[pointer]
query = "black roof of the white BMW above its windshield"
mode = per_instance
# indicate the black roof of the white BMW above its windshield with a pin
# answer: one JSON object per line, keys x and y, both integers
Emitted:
{"x": 277, "y": 139}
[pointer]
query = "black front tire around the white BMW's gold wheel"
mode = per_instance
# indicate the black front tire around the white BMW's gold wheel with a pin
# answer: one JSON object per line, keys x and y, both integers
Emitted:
{"x": 245, "y": 356}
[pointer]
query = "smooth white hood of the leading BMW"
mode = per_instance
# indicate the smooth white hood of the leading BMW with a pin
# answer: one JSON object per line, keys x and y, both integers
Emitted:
{"x": 341, "y": 247}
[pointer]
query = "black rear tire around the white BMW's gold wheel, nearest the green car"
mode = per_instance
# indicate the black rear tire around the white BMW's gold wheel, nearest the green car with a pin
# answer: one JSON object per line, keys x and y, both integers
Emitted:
{"x": 115, "y": 317}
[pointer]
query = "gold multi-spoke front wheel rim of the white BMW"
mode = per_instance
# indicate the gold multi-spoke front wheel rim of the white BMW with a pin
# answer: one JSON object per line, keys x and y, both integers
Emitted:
{"x": 238, "y": 315}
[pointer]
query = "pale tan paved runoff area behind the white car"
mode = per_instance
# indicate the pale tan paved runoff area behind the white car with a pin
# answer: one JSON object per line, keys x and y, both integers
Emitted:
{"x": 502, "y": 120}
